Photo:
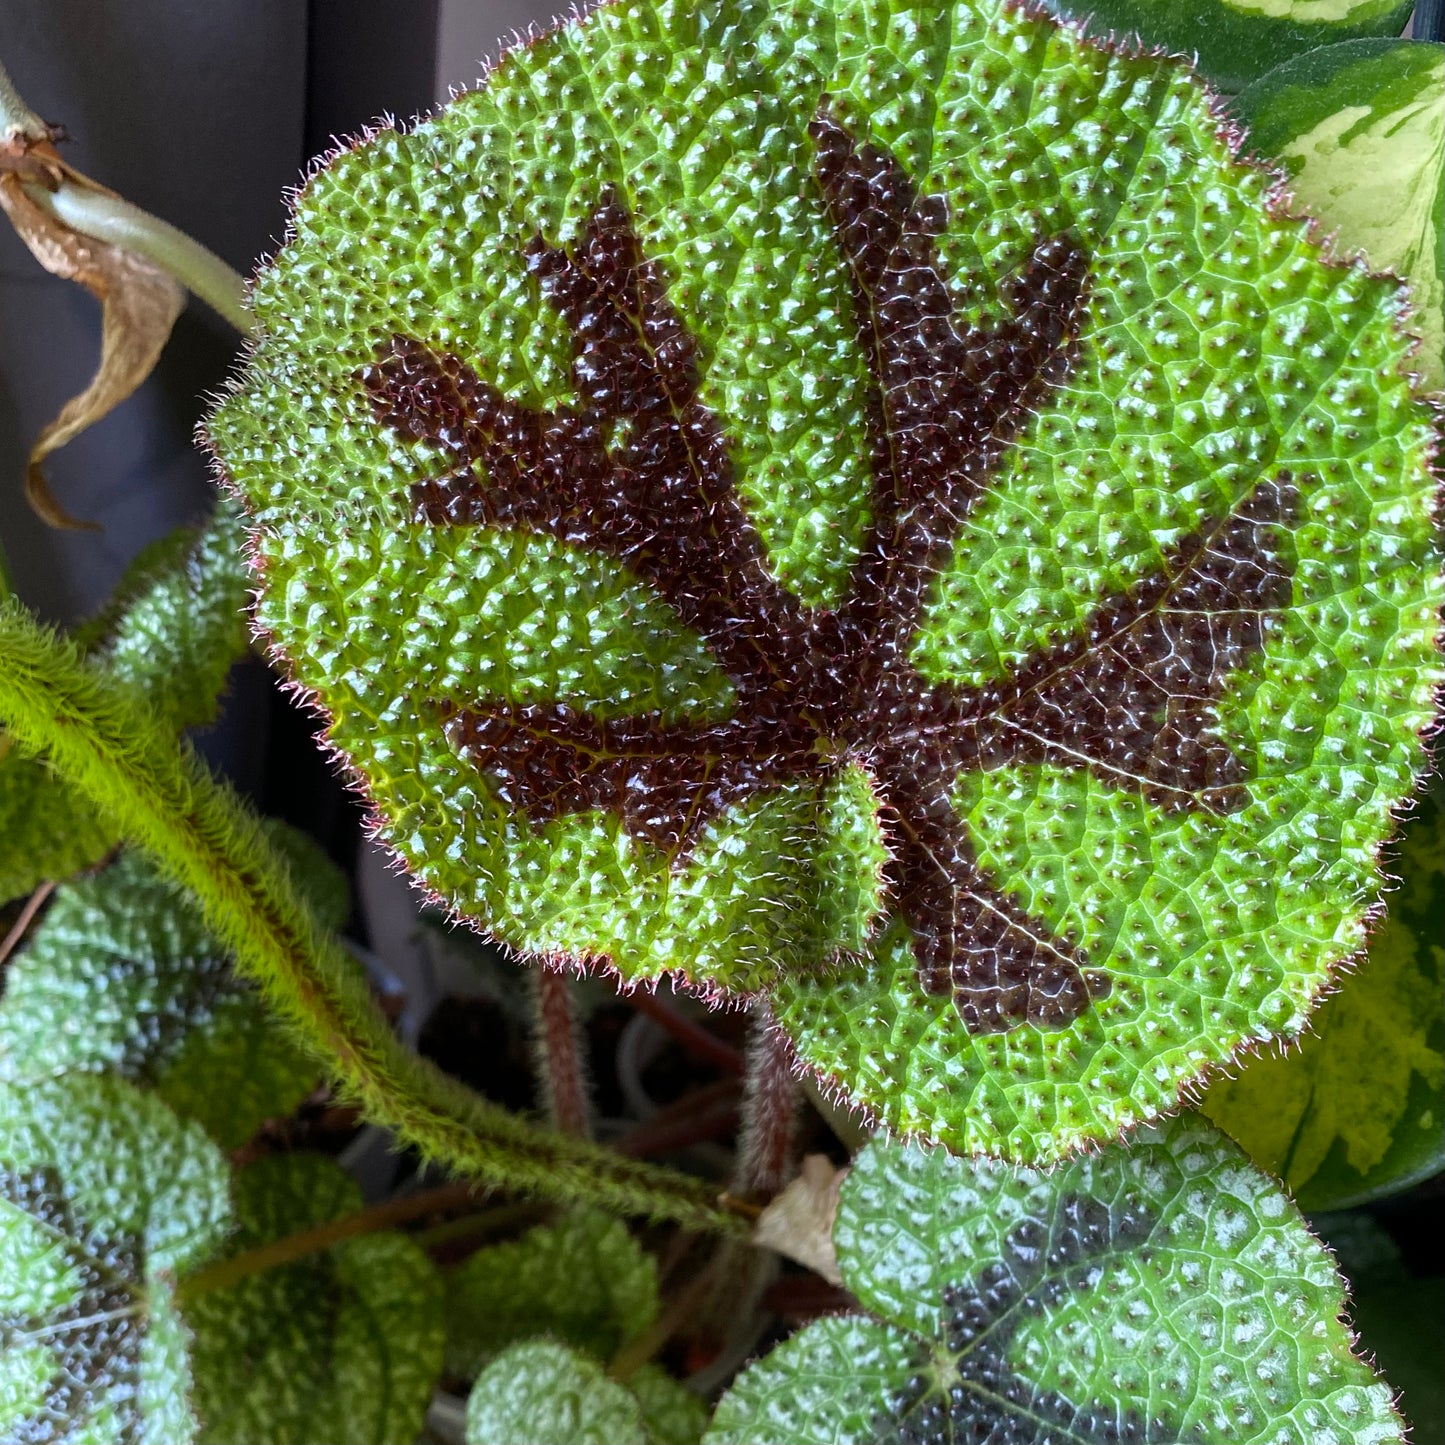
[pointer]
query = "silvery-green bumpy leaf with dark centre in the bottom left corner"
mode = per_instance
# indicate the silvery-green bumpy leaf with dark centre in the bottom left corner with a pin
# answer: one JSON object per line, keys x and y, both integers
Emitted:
{"x": 105, "y": 1196}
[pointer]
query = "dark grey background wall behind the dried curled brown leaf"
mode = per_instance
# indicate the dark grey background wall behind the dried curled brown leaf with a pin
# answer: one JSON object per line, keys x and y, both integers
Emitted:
{"x": 203, "y": 112}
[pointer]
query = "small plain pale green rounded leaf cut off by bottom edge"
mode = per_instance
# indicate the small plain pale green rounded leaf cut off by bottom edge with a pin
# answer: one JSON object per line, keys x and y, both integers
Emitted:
{"x": 543, "y": 1394}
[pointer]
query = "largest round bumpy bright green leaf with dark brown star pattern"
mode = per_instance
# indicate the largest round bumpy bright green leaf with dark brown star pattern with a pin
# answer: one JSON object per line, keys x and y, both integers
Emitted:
{"x": 532, "y": 689}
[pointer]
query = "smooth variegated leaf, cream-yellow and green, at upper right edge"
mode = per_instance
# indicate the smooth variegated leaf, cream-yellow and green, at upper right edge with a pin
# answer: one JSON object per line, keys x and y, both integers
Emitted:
{"x": 1362, "y": 132}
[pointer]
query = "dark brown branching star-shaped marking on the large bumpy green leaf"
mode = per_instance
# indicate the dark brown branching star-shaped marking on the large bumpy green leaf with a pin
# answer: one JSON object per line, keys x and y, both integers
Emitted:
{"x": 641, "y": 472}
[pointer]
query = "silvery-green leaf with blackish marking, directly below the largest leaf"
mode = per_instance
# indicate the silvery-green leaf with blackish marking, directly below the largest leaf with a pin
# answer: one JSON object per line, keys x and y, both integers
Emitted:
{"x": 1167, "y": 1293}
